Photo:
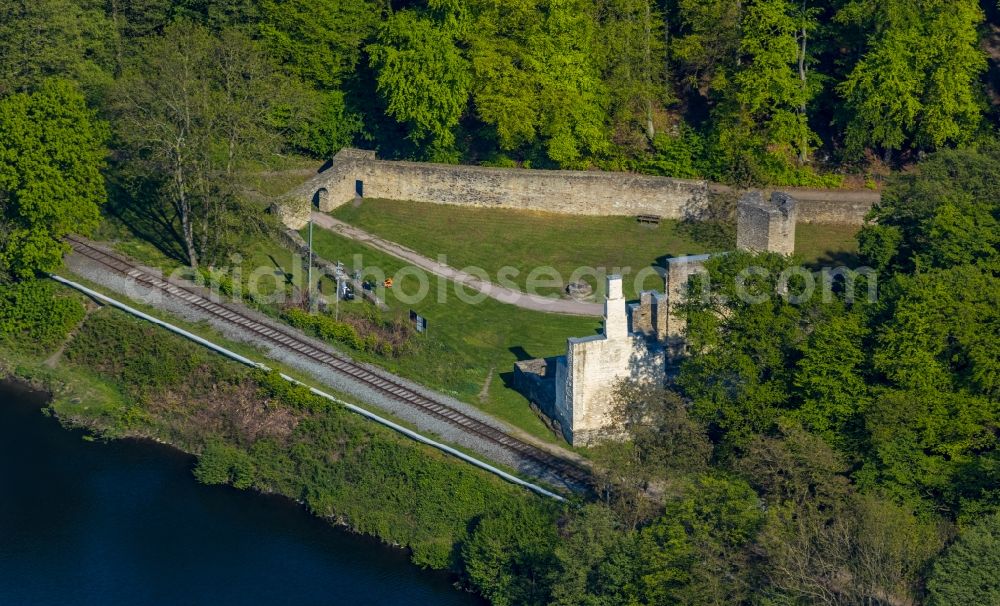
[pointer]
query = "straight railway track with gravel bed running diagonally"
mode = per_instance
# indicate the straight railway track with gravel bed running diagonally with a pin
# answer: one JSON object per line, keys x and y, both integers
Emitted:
{"x": 543, "y": 463}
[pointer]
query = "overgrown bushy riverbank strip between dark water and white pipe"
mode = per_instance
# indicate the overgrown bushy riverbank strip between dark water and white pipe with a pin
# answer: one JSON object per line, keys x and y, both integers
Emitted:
{"x": 120, "y": 377}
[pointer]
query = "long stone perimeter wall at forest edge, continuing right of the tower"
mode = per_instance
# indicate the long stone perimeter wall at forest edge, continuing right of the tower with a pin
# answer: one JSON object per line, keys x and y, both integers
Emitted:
{"x": 355, "y": 172}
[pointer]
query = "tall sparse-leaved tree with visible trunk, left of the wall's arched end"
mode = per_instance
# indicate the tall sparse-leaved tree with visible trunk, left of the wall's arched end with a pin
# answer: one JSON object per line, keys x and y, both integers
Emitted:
{"x": 190, "y": 110}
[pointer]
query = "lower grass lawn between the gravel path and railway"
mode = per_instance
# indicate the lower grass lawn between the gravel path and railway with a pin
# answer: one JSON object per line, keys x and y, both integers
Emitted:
{"x": 469, "y": 349}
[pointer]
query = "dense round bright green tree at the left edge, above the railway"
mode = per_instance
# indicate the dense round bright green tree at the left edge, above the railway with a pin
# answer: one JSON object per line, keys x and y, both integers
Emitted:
{"x": 52, "y": 151}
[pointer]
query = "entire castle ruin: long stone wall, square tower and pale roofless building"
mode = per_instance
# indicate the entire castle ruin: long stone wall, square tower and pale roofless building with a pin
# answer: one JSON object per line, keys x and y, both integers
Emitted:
{"x": 640, "y": 340}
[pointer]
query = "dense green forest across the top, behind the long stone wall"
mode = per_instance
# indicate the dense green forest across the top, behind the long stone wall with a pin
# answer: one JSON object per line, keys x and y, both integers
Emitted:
{"x": 198, "y": 92}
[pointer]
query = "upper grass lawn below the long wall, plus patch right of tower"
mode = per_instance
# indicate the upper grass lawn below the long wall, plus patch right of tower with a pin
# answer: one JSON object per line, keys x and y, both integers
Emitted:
{"x": 494, "y": 238}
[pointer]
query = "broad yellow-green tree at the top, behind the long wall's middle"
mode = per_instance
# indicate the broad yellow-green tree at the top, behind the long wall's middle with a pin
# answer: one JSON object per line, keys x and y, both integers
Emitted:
{"x": 537, "y": 79}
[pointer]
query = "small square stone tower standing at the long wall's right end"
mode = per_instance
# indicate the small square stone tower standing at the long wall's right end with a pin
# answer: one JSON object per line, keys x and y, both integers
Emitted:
{"x": 766, "y": 225}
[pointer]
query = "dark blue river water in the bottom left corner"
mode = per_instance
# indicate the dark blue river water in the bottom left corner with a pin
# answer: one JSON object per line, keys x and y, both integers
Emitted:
{"x": 126, "y": 523}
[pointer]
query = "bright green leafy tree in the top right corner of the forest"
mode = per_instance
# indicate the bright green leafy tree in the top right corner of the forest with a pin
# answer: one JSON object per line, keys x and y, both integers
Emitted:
{"x": 917, "y": 85}
